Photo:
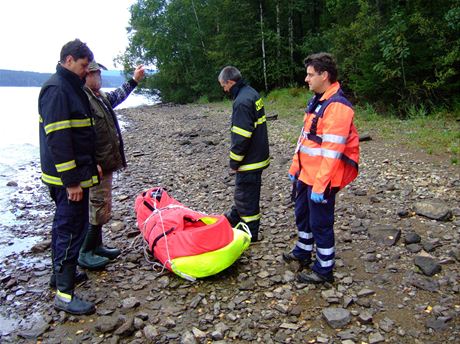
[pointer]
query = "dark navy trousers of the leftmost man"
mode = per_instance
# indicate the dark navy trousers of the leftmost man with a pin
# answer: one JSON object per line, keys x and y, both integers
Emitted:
{"x": 70, "y": 225}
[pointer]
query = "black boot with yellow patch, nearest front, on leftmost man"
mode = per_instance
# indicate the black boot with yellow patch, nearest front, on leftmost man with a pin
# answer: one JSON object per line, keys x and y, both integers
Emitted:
{"x": 65, "y": 300}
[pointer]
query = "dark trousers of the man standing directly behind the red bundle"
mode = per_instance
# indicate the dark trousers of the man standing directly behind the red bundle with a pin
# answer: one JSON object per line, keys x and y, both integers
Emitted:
{"x": 246, "y": 206}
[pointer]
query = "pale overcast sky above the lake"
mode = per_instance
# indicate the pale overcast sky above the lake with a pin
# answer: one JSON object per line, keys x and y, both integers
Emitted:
{"x": 33, "y": 31}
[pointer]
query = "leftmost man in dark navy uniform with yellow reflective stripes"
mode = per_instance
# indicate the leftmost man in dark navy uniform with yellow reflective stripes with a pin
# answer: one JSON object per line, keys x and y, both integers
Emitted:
{"x": 68, "y": 166}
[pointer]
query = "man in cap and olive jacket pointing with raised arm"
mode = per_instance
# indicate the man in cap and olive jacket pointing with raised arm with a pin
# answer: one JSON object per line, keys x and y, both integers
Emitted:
{"x": 110, "y": 156}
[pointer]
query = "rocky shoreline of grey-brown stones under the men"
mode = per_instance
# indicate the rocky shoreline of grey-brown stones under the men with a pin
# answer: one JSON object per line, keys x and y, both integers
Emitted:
{"x": 397, "y": 233}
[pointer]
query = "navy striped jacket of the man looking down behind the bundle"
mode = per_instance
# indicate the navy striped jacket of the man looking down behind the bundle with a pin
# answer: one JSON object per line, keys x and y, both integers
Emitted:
{"x": 249, "y": 149}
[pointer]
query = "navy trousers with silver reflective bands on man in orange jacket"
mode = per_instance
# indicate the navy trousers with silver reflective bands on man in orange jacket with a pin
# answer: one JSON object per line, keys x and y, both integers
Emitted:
{"x": 315, "y": 223}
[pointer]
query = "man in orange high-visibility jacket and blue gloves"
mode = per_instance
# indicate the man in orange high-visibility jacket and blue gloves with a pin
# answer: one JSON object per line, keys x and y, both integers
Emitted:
{"x": 325, "y": 160}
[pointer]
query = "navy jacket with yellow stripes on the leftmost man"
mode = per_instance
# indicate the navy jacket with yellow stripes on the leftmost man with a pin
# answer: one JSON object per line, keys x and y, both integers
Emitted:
{"x": 66, "y": 132}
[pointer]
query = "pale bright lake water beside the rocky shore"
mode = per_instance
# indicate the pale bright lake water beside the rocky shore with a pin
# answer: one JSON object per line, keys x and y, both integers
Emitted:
{"x": 19, "y": 152}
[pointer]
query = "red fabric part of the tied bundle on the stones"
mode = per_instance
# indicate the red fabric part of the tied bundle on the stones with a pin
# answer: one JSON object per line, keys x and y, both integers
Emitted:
{"x": 189, "y": 237}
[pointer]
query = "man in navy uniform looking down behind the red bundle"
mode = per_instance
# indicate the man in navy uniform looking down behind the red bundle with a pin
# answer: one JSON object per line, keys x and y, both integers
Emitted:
{"x": 249, "y": 151}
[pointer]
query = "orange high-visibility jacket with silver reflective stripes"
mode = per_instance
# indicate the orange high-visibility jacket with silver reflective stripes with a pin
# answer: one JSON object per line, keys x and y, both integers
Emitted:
{"x": 328, "y": 147}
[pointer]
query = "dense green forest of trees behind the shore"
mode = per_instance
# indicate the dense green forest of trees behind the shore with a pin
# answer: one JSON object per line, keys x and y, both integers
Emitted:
{"x": 391, "y": 53}
